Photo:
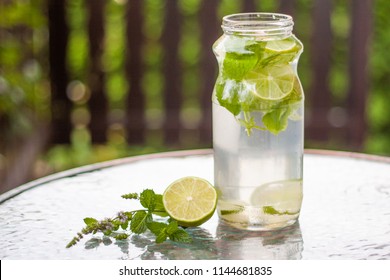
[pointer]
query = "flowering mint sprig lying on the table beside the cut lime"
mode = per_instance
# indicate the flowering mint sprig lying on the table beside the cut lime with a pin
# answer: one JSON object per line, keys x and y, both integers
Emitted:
{"x": 137, "y": 221}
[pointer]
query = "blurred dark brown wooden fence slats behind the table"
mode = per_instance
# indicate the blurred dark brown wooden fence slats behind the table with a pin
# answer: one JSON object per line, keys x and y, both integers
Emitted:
{"x": 320, "y": 126}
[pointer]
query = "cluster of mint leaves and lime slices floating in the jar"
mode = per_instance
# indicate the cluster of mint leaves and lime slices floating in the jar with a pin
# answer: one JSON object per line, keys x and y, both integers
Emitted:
{"x": 242, "y": 84}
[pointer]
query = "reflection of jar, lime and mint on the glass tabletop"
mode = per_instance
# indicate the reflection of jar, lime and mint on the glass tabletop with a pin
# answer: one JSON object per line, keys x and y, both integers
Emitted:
{"x": 225, "y": 243}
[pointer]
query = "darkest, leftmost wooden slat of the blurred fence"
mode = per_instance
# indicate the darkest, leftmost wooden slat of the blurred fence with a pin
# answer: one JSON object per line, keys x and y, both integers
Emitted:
{"x": 58, "y": 40}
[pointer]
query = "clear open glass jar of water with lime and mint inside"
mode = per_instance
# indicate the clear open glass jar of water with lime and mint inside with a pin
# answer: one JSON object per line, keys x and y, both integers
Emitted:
{"x": 258, "y": 122}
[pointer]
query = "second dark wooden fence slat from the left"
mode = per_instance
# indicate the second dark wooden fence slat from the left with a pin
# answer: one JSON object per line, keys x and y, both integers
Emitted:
{"x": 98, "y": 103}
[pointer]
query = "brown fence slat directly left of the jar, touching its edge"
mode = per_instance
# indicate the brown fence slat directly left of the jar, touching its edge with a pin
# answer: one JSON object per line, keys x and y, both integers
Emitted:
{"x": 210, "y": 30}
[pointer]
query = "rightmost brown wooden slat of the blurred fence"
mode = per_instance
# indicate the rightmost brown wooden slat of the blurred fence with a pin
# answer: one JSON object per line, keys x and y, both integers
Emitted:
{"x": 361, "y": 17}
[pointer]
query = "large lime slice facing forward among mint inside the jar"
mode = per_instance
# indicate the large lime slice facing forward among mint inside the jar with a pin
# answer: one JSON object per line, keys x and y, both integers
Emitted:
{"x": 272, "y": 82}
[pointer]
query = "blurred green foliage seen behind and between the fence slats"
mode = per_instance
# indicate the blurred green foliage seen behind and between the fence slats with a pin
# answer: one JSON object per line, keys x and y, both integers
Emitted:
{"x": 25, "y": 91}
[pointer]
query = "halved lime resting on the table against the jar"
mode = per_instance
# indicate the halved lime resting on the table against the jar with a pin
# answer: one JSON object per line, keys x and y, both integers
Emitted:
{"x": 191, "y": 201}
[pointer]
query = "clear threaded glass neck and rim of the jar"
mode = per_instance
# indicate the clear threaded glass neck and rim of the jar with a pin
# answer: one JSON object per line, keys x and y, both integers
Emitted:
{"x": 258, "y": 24}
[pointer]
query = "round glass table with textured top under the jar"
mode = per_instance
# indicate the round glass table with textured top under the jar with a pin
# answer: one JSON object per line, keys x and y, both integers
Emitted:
{"x": 345, "y": 212}
